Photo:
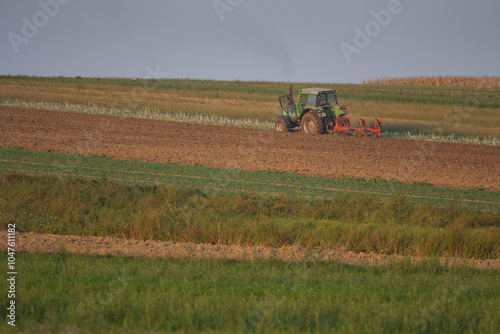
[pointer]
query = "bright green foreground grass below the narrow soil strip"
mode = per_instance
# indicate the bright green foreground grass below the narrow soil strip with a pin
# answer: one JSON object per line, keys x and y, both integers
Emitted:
{"x": 62, "y": 293}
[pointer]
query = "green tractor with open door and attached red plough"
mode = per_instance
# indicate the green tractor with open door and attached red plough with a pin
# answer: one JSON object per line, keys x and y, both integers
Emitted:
{"x": 318, "y": 111}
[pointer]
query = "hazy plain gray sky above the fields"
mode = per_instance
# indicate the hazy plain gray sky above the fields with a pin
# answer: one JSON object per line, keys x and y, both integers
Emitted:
{"x": 276, "y": 40}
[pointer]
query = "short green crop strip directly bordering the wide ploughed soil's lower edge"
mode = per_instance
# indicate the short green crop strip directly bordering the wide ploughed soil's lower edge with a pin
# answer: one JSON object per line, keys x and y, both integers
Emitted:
{"x": 233, "y": 181}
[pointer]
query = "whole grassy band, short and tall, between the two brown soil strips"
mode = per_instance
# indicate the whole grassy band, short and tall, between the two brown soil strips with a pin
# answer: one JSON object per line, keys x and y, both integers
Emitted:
{"x": 204, "y": 205}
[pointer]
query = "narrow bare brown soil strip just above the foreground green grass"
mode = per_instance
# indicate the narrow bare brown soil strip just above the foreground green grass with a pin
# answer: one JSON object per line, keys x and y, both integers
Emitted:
{"x": 50, "y": 243}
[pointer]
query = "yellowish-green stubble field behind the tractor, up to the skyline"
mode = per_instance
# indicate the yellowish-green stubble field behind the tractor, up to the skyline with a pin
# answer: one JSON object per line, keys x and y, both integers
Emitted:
{"x": 472, "y": 111}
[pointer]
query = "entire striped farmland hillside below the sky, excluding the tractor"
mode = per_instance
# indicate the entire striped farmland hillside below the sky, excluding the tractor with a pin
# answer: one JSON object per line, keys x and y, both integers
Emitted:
{"x": 134, "y": 163}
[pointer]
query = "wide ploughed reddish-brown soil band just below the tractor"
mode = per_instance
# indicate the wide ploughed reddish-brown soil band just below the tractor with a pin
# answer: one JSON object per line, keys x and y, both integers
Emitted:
{"x": 439, "y": 164}
